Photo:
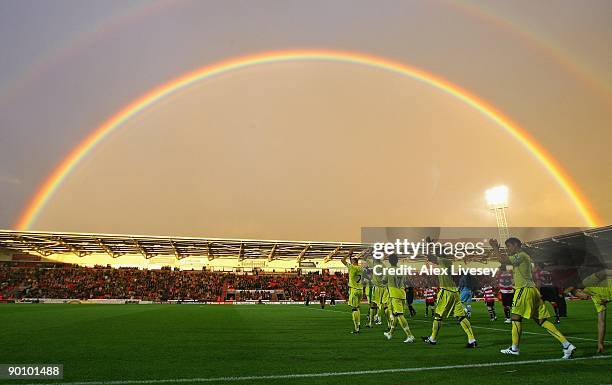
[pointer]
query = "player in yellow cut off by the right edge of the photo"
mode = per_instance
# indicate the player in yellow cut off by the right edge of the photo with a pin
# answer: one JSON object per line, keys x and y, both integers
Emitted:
{"x": 600, "y": 289}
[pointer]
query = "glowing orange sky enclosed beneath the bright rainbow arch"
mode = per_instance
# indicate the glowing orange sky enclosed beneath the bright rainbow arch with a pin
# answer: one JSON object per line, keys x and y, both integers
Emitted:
{"x": 304, "y": 151}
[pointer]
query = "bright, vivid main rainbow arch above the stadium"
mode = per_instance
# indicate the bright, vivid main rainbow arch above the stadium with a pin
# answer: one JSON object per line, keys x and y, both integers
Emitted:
{"x": 55, "y": 179}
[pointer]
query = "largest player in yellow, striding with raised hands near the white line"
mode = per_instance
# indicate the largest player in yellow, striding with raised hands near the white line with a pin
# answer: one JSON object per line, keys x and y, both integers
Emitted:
{"x": 527, "y": 302}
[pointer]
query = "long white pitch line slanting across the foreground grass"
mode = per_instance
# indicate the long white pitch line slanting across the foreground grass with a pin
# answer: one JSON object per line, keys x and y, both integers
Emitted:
{"x": 325, "y": 374}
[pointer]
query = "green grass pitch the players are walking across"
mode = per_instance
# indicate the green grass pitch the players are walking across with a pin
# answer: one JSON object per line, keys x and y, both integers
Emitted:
{"x": 208, "y": 343}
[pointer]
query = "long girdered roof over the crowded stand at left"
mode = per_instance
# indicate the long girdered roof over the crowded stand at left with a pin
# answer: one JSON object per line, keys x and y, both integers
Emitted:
{"x": 116, "y": 245}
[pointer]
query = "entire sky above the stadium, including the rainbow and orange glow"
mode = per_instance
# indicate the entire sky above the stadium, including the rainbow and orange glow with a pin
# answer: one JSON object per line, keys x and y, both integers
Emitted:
{"x": 307, "y": 148}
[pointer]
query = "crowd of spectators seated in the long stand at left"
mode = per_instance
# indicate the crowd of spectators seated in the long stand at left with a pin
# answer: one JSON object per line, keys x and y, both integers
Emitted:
{"x": 77, "y": 282}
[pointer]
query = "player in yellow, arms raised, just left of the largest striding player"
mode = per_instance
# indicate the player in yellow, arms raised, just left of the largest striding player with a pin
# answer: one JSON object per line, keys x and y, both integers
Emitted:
{"x": 448, "y": 302}
